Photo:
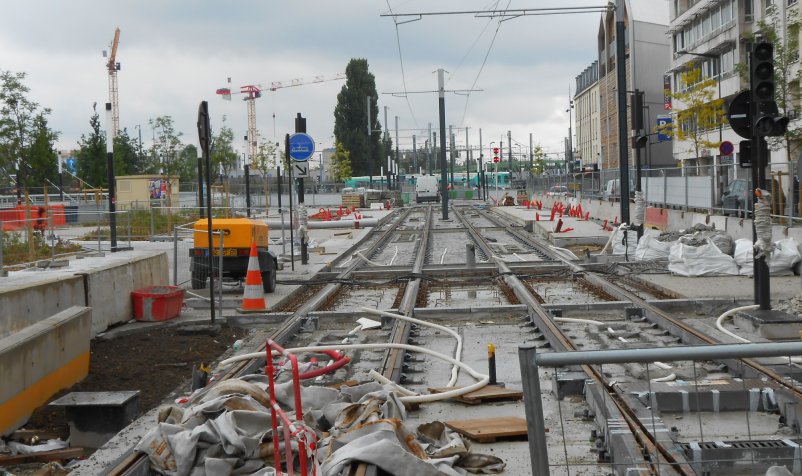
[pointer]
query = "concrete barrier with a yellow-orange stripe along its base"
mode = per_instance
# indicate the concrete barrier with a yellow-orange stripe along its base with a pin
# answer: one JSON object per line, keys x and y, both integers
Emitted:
{"x": 40, "y": 360}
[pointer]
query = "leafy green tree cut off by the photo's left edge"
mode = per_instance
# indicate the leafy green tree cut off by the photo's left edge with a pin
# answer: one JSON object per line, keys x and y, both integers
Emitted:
{"x": 23, "y": 130}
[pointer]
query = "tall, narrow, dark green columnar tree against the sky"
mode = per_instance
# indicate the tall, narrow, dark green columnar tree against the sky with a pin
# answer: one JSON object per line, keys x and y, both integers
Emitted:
{"x": 350, "y": 121}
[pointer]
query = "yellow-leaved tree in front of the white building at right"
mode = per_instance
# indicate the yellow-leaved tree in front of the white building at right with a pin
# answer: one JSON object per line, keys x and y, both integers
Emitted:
{"x": 701, "y": 111}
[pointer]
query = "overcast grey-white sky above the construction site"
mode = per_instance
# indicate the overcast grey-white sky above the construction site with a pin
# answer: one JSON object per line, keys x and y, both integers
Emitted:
{"x": 175, "y": 53}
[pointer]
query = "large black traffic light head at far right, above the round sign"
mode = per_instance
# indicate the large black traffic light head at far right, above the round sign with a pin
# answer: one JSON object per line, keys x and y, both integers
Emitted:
{"x": 767, "y": 121}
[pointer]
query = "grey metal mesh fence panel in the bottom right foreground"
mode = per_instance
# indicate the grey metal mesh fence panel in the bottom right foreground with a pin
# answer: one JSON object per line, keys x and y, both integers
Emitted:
{"x": 616, "y": 446}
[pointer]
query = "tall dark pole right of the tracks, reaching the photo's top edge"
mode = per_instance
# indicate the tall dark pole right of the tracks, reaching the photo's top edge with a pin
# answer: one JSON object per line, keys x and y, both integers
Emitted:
{"x": 623, "y": 150}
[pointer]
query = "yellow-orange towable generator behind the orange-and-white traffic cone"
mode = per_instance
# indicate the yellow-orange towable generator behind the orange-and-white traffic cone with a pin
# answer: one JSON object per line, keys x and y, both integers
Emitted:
{"x": 237, "y": 236}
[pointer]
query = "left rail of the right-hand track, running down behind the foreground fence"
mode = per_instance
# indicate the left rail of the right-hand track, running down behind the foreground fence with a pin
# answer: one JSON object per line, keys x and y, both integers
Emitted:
{"x": 617, "y": 408}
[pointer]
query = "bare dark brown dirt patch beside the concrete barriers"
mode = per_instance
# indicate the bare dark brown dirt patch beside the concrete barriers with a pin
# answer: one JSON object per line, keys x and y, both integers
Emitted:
{"x": 155, "y": 362}
